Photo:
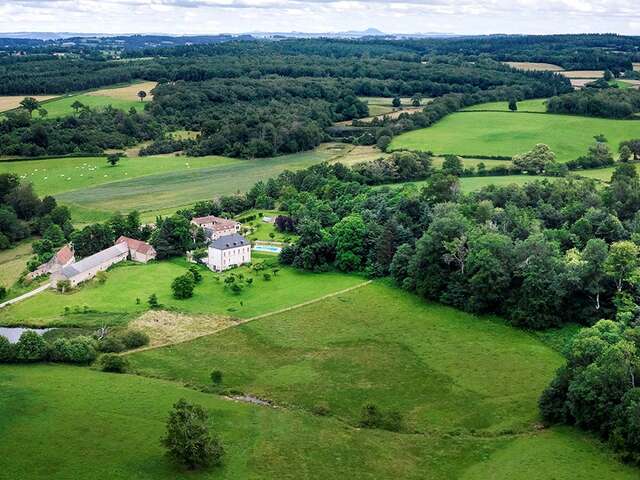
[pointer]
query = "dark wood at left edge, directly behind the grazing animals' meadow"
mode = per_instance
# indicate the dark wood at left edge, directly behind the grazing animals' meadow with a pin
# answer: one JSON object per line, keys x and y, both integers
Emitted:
{"x": 87, "y": 132}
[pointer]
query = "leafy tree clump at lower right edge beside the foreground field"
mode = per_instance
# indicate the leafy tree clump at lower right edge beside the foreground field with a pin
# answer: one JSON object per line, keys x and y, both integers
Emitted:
{"x": 598, "y": 389}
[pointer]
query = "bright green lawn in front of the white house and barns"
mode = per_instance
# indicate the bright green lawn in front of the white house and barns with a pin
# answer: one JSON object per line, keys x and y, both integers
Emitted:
{"x": 114, "y": 302}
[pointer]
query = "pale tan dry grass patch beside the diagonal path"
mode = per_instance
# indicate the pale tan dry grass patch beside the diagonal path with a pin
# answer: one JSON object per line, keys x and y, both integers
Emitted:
{"x": 165, "y": 327}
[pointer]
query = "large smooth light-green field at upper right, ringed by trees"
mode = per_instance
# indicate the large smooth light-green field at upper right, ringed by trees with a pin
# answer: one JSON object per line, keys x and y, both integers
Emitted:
{"x": 507, "y": 134}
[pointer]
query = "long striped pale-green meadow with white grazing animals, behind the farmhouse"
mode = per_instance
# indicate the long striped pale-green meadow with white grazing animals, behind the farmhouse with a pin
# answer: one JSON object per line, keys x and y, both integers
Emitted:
{"x": 95, "y": 190}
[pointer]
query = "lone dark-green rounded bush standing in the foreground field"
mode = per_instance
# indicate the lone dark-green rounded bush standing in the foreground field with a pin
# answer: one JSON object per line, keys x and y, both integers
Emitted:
{"x": 188, "y": 440}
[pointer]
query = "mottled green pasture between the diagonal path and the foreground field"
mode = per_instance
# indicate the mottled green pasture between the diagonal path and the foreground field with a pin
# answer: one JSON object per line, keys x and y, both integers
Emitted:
{"x": 377, "y": 344}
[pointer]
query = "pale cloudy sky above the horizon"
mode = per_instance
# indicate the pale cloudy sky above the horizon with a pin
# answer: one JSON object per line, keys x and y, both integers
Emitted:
{"x": 315, "y": 16}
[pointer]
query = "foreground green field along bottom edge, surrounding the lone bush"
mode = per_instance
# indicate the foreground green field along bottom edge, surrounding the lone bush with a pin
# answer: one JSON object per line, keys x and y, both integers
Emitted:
{"x": 80, "y": 423}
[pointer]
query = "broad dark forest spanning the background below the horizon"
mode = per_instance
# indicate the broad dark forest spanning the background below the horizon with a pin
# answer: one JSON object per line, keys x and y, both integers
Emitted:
{"x": 252, "y": 99}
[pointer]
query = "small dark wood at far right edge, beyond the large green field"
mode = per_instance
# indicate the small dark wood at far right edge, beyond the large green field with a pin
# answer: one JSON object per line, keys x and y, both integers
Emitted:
{"x": 607, "y": 103}
